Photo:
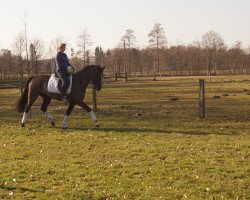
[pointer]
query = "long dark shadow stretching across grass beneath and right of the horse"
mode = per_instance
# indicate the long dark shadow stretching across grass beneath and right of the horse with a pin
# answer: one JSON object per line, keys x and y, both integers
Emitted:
{"x": 147, "y": 130}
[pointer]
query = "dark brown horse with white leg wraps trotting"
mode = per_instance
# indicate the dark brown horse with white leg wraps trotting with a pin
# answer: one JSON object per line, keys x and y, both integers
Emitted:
{"x": 37, "y": 86}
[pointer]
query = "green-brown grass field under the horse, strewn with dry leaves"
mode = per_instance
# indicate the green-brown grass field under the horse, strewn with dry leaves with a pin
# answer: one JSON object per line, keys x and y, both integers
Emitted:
{"x": 148, "y": 146}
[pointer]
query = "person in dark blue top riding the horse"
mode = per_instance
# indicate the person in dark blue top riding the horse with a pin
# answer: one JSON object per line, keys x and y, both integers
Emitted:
{"x": 62, "y": 69}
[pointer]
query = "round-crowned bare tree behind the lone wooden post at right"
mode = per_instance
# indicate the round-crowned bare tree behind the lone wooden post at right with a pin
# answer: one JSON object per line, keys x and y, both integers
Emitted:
{"x": 211, "y": 42}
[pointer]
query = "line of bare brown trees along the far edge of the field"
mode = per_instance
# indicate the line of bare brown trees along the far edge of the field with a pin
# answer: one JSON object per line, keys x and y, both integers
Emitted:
{"x": 210, "y": 55}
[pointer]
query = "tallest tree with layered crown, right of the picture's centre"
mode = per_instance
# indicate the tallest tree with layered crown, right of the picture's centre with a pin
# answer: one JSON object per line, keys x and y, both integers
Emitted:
{"x": 157, "y": 39}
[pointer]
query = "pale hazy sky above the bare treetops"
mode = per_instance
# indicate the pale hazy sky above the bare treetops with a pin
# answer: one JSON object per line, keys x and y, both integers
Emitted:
{"x": 106, "y": 21}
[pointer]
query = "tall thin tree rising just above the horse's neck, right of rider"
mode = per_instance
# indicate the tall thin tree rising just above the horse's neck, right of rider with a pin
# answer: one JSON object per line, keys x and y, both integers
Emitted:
{"x": 84, "y": 42}
